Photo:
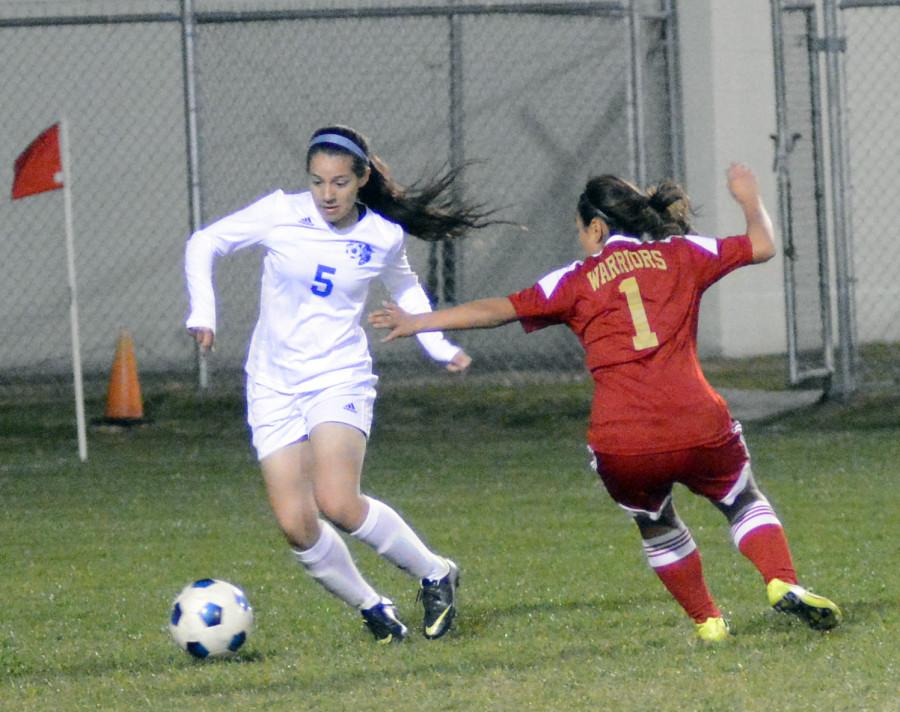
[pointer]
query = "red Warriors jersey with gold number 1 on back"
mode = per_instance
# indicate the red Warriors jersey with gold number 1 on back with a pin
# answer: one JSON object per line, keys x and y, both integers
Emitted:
{"x": 634, "y": 307}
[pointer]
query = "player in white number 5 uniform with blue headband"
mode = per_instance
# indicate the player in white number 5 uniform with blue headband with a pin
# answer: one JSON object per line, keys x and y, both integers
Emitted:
{"x": 310, "y": 385}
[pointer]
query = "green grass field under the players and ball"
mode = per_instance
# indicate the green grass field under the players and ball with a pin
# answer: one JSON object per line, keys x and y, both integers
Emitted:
{"x": 558, "y": 609}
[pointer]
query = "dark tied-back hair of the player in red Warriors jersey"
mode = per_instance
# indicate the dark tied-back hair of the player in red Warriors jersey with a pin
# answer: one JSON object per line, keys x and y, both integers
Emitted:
{"x": 659, "y": 211}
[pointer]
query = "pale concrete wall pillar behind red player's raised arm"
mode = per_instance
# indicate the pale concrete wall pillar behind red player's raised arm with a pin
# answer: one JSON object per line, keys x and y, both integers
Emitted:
{"x": 729, "y": 114}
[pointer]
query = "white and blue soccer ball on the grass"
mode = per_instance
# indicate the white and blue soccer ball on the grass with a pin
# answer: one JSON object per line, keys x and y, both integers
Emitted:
{"x": 210, "y": 618}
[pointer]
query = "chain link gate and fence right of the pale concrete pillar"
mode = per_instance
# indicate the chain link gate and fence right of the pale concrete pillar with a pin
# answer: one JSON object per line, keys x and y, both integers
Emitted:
{"x": 839, "y": 158}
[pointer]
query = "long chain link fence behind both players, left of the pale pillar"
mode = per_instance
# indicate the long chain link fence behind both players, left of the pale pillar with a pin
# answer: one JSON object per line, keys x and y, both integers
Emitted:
{"x": 537, "y": 95}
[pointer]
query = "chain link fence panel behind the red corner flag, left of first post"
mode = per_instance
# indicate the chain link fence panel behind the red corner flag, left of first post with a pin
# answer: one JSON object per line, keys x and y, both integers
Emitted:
{"x": 117, "y": 80}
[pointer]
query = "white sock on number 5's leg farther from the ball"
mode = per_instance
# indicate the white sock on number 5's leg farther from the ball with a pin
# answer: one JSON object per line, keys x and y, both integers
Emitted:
{"x": 386, "y": 532}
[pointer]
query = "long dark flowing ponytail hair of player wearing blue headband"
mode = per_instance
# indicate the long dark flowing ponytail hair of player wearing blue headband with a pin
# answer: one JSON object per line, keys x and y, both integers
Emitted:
{"x": 429, "y": 210}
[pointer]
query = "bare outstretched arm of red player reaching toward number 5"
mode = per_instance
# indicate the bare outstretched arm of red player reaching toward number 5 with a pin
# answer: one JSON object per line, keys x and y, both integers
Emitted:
{"x": 478, "y": 314}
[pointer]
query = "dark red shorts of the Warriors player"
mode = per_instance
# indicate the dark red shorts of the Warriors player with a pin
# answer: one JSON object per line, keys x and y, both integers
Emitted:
{"x": 644, "y": 482}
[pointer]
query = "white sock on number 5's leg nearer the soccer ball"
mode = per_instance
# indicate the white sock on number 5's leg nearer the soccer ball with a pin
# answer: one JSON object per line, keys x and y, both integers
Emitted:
{"x": 329, "y": 562}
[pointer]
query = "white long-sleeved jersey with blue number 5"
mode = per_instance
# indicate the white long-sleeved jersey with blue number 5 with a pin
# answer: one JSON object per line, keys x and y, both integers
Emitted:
{"x": 315, "y": 281}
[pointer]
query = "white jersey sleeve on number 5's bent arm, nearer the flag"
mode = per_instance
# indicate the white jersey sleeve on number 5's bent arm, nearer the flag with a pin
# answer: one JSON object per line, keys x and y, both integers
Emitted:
{"x": 245, "y": 228}
